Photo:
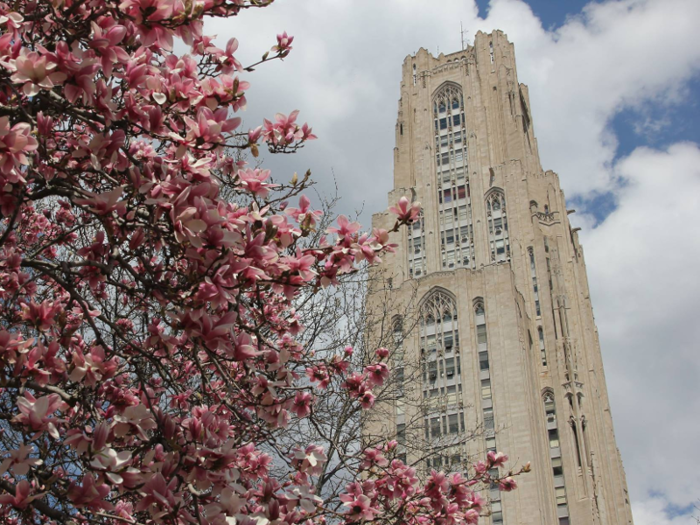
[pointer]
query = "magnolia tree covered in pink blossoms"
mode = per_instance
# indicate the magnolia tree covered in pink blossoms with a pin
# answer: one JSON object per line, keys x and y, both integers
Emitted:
{"x": 150, "y": 351}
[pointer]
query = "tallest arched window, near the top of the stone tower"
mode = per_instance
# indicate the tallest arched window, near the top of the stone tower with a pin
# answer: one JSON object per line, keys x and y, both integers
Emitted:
{"x": 454, "y": 194}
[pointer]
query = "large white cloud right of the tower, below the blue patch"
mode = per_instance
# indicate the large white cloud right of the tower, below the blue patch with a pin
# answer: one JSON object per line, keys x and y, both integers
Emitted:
{"x": 642, "y": 265}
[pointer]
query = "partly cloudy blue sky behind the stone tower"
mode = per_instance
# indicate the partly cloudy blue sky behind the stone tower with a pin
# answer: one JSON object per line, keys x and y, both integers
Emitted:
{"x": 614, "y": 88}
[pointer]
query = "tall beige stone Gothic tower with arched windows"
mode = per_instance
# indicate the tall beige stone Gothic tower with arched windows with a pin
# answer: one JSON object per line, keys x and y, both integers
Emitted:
{"x": 503, "y": 340}
